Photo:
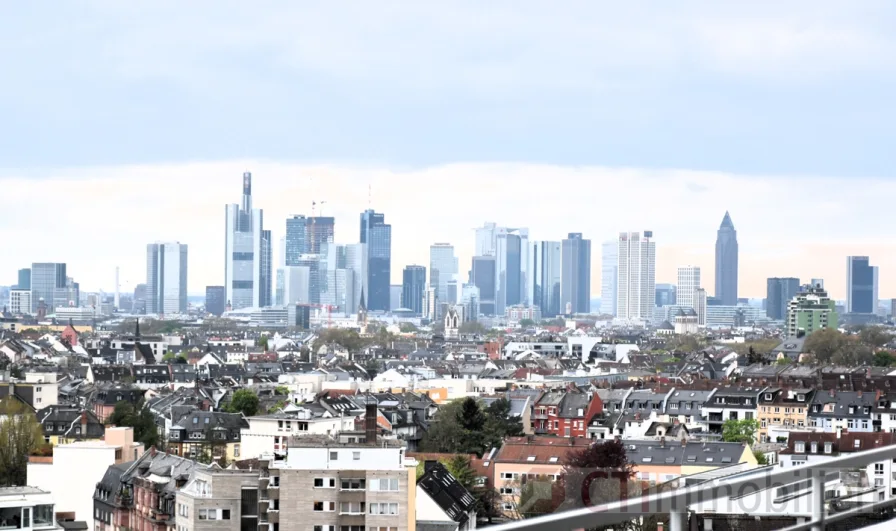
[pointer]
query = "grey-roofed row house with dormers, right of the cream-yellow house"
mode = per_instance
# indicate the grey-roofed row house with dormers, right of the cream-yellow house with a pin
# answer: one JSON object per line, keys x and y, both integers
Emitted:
{"x": 842, "y": 410}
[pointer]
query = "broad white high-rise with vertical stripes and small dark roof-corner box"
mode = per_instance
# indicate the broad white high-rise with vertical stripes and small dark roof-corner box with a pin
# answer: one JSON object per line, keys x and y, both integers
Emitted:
{"x": 637, "y": 276}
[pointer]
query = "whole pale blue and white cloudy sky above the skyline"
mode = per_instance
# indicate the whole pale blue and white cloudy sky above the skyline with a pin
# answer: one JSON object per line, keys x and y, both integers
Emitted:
{"x": 128, "y": 123}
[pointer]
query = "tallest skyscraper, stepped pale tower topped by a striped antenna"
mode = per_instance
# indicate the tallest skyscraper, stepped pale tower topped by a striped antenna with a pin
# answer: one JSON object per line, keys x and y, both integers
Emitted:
{"x": 247, "y": 251}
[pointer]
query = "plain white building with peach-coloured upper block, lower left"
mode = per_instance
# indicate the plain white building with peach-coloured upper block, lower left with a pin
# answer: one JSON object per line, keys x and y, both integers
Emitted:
{"x": 80, "y": 464}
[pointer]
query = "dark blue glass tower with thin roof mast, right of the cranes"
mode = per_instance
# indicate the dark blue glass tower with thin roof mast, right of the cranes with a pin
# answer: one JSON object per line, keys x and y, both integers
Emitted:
{"x": 377, "y": 234}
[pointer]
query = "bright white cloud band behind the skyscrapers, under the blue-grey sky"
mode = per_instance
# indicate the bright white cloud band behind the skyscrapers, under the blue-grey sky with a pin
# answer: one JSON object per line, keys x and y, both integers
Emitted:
{"x": 102, "y": 217}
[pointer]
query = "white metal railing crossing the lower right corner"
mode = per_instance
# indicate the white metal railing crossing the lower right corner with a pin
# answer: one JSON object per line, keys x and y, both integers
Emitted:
{"x": 676, "y": 503}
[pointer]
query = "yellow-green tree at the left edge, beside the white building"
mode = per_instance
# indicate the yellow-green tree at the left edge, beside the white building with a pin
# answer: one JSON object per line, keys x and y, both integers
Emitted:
{"x": 20, "y": 434}
